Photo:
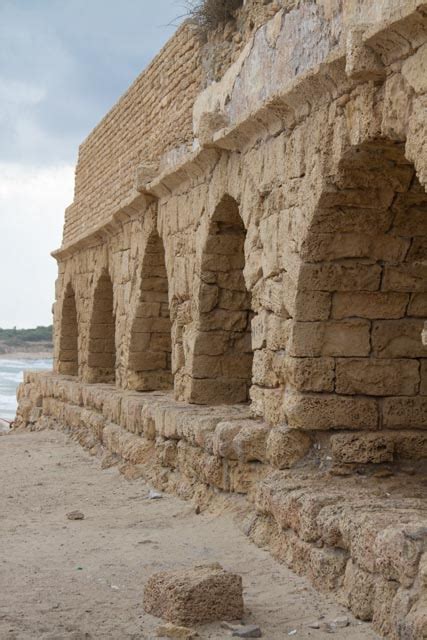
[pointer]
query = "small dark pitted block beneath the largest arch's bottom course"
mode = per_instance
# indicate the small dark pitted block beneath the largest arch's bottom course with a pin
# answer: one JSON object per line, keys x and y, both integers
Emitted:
{"x": 362, "y": 448}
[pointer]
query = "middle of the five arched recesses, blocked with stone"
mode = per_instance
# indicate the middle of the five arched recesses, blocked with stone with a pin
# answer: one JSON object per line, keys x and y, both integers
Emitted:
{"x": 149, "y": 364}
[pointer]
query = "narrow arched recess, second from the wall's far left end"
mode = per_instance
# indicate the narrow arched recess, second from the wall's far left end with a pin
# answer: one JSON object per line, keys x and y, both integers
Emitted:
{"x": 102, "y": 349}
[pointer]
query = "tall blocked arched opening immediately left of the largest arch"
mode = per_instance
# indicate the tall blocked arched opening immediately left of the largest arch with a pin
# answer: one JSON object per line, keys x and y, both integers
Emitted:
{"x": 220, "y": 353}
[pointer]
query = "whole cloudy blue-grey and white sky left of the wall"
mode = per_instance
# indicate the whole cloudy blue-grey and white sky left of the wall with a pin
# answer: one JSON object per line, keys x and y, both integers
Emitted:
{"x": 63, "y": 64}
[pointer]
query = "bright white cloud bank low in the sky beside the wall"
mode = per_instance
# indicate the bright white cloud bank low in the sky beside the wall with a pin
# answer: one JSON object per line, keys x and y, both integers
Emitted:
{"x": 32, "y": 203}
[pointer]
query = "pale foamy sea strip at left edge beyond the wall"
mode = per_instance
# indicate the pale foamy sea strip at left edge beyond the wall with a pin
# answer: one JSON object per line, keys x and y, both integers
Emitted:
{"x": 11, "y": 374}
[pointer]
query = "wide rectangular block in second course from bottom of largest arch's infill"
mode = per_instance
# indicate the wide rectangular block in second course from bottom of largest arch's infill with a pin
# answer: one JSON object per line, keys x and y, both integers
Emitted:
{"x": 377, "y": 377}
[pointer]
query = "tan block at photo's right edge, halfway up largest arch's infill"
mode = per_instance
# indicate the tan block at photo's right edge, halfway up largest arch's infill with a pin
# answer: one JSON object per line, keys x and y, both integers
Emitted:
{"x": 398, "y": 339}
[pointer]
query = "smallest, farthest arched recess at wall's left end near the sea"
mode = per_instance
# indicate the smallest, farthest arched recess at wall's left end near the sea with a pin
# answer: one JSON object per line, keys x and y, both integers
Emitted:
{"x": 68, "y": 339}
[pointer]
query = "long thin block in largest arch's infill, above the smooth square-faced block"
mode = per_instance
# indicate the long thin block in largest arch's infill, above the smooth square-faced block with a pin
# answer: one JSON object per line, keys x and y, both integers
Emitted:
{"x": 368, "y": 304}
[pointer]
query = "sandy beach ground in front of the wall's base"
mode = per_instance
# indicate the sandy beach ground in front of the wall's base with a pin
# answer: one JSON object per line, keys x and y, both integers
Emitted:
{"x": 84, "y": 579}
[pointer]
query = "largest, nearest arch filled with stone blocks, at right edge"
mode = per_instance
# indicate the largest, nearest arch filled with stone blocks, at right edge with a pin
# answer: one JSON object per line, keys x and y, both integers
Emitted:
{"x": 361, "y": 359}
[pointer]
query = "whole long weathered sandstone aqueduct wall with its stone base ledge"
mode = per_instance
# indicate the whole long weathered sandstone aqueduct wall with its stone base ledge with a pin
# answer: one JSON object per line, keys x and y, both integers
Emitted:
{"x": 266, "y": 278}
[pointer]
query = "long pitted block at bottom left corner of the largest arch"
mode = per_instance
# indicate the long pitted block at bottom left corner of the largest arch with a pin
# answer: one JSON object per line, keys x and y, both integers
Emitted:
{"x": 325, "y": 411}
